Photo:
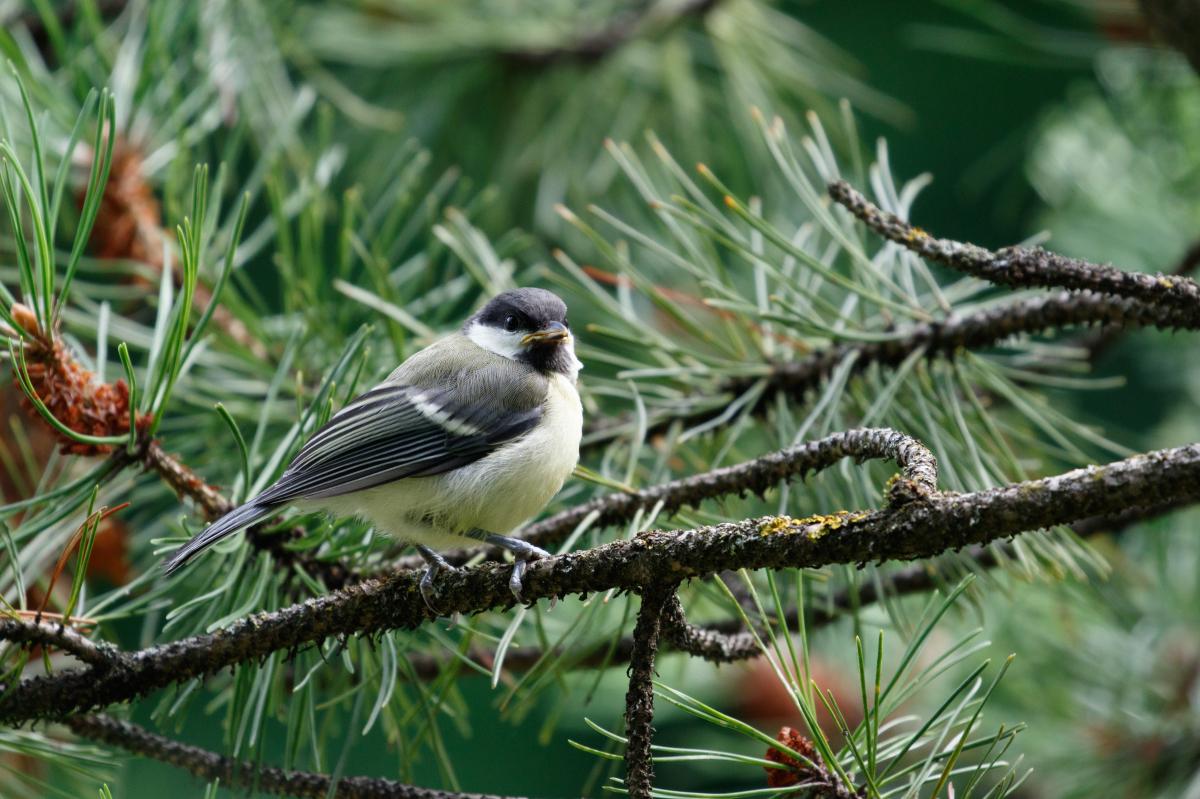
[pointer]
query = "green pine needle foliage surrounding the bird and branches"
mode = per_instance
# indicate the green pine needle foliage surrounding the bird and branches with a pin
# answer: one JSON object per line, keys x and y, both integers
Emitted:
{"x": 311, "y": 195}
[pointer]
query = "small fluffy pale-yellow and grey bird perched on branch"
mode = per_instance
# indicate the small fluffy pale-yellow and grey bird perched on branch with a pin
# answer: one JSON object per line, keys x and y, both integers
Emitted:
{"x": 463, "y": 443}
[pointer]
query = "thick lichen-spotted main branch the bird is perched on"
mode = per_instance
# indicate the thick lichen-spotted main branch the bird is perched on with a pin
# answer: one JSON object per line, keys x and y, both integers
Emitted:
{"x": 921, "y": 528}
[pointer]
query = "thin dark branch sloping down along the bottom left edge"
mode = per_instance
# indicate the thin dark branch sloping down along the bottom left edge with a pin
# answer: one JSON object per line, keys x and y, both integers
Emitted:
{"x": 242, "y": 774}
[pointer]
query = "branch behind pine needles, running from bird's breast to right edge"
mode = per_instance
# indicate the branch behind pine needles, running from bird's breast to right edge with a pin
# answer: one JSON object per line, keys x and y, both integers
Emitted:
{"x": 980, "y": 331}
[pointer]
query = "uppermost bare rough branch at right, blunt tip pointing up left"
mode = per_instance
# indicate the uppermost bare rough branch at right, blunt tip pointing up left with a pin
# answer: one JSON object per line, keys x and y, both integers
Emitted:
{"x": 1024, "y": 267}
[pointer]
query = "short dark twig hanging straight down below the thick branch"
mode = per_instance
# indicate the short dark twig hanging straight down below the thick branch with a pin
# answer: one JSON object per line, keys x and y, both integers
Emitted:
{"x": 640, "y": 696}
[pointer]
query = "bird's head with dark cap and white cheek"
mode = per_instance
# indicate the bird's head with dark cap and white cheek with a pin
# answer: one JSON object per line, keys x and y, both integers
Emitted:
{"x": 527, "y": 326}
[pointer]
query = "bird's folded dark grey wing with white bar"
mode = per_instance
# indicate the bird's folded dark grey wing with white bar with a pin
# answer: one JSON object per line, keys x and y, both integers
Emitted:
{"x": 399, "y": 431}
